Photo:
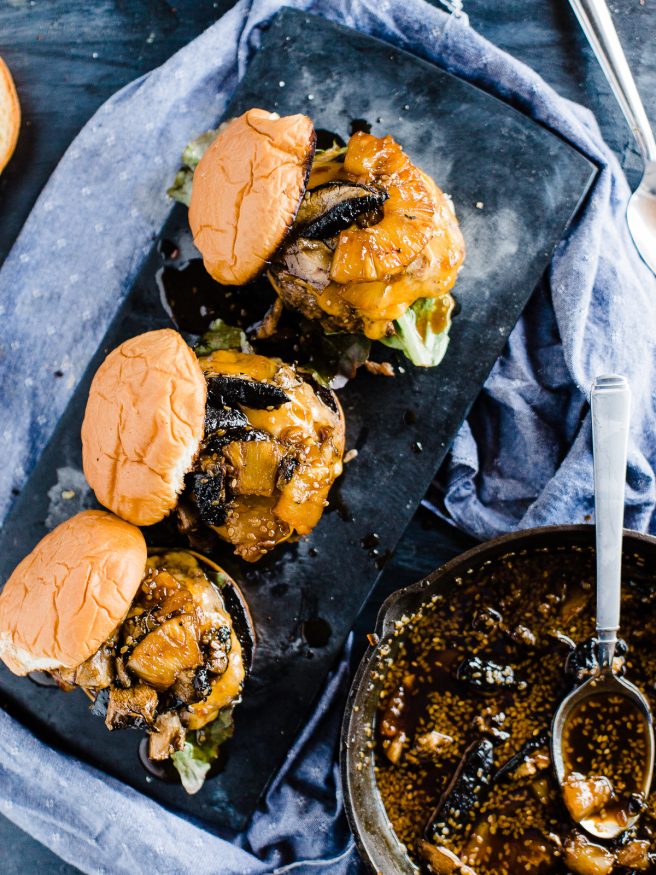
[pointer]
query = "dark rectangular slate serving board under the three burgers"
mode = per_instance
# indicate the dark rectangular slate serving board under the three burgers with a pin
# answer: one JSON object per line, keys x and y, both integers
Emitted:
{"x": 529, "y": 183}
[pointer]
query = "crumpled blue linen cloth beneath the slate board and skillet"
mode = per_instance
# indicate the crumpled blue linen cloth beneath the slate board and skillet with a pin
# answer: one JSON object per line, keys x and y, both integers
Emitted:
{"x": 523, "y": 457}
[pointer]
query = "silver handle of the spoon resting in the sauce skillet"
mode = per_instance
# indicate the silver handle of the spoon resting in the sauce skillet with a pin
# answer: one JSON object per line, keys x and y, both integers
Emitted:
{"x": 610, "y": 401}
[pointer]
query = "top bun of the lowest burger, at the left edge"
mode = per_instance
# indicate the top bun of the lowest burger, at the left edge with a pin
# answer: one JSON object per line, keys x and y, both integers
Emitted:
{"x": 70, "y": 593}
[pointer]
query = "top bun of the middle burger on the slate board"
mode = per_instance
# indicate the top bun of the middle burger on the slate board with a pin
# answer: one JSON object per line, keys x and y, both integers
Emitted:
{"x": 143, "y": 425}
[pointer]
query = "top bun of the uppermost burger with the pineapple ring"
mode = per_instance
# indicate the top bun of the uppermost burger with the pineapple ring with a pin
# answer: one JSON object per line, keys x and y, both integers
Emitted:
{"x": 246, "y": 192}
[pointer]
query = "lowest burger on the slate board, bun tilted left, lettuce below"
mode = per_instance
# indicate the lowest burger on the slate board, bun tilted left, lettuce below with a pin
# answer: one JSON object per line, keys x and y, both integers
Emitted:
{"x": 160, "y": 642}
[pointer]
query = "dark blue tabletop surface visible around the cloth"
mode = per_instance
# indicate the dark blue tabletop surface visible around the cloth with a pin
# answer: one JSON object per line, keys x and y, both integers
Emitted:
{"x": 68, "y": 57}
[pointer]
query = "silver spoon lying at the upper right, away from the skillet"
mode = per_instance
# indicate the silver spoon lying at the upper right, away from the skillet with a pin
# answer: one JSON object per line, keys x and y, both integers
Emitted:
{"x": 596, "y": 21}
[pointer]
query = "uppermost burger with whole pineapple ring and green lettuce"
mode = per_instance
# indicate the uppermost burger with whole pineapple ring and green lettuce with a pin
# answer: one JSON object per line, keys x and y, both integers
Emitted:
{"x": 356, "y": 236}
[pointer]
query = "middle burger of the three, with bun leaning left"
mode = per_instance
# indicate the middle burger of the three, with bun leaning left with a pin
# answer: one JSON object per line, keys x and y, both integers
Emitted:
{"x": 235, "y": 441}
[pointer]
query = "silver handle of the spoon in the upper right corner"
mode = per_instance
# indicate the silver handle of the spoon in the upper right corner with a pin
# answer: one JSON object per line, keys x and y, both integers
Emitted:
{"x": 597, "y": 23}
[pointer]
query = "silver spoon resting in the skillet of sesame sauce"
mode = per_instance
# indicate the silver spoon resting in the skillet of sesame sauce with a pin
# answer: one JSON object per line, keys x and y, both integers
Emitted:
{"x": 610, "y": 401}
